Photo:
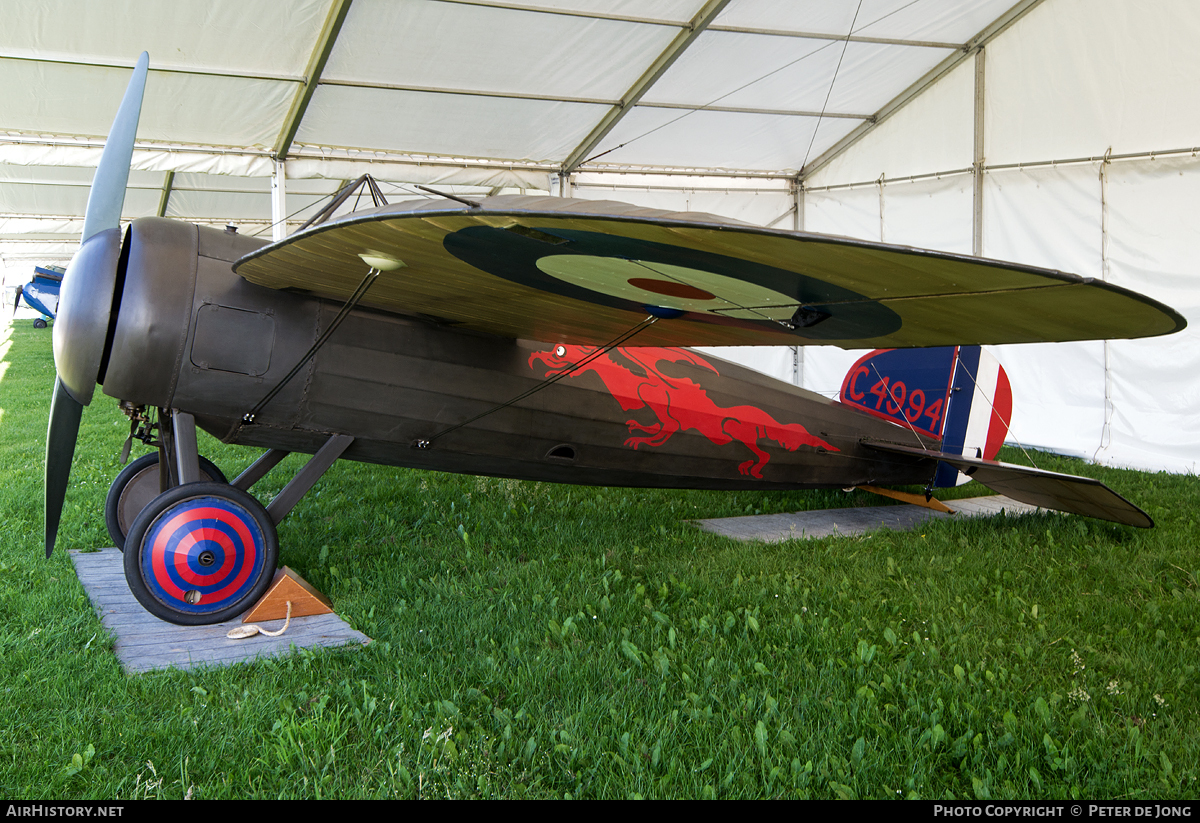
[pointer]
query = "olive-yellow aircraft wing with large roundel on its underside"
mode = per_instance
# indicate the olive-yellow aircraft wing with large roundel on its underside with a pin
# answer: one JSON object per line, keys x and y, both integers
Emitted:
{"x": 586, "y": 272}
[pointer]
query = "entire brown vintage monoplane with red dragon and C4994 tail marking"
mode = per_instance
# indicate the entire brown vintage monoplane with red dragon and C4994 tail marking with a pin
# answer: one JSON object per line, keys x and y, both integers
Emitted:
{"x": 524, "y": 338}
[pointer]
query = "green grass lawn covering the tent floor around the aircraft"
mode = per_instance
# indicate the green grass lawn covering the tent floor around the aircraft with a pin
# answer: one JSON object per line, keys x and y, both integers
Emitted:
{"x": 550, "y": 641}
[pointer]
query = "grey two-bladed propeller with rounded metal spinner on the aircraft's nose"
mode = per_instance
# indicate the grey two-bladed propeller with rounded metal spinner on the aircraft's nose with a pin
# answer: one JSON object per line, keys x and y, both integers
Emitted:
{"x": 86, "y": 303}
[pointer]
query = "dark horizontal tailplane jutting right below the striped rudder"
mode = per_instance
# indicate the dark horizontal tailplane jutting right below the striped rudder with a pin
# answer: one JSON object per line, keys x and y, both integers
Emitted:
{"x": 1048, "y": 490}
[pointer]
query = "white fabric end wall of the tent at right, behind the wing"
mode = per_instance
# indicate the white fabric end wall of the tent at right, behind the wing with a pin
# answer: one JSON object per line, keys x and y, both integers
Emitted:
{"x": 1108, "y": 76}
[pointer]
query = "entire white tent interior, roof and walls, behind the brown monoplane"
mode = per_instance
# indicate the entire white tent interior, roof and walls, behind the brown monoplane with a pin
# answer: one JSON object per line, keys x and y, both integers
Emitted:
{"x": 1054, "y": 133}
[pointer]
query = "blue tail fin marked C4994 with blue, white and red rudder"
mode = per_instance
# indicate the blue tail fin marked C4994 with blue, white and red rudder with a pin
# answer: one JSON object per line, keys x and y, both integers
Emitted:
{"x": 958, "y": 394}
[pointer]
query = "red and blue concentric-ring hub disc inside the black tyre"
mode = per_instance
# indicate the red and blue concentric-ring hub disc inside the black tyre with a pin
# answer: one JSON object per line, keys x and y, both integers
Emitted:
{"x": 203, "y": 555}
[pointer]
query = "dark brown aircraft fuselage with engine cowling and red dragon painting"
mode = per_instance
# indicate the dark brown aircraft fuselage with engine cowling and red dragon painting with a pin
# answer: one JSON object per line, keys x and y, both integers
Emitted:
{"x": 193, "y": 335}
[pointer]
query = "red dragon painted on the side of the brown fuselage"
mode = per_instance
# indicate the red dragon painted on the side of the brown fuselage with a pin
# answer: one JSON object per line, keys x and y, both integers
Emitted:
{"x": 679, "y": 404}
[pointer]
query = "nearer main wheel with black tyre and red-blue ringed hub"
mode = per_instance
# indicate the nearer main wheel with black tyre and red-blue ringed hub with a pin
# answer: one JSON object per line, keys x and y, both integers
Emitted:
{"x": 201, "y": 554}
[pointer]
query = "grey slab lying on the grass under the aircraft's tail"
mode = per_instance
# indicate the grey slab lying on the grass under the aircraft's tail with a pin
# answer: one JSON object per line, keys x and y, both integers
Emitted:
{"x": 862, "y": 520}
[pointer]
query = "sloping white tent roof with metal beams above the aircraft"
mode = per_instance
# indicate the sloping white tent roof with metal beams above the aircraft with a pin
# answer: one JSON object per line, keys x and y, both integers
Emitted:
{"x": 477, "y": 93}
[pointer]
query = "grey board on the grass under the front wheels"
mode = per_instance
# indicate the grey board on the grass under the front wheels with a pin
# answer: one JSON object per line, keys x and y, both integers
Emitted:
{"x": 146, "y": 644}
